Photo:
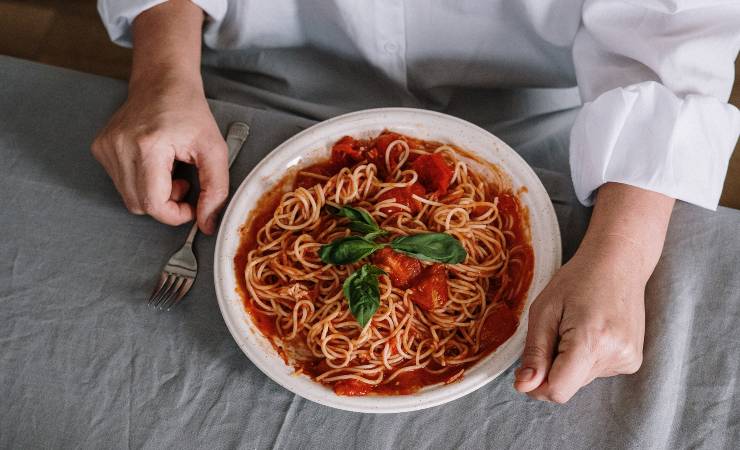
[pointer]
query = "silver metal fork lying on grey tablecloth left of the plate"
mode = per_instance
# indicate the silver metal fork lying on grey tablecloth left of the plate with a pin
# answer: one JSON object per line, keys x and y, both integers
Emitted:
{"x": 180, "y": 271}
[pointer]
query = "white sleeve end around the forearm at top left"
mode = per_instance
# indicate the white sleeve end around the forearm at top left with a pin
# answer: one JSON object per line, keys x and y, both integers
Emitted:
{"x": 118, "y": 15}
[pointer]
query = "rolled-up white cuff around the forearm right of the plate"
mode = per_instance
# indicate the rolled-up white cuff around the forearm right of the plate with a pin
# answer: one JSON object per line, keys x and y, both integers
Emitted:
{"x": 646, "y": 136}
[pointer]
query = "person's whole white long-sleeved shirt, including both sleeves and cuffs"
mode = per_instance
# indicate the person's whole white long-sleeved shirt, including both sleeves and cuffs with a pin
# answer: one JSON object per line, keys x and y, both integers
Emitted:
{"x": 654, "y": 75}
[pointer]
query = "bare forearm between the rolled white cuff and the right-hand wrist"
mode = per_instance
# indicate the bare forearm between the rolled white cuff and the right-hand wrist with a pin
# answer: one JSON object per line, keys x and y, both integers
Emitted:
{"x": 629, "y": 223}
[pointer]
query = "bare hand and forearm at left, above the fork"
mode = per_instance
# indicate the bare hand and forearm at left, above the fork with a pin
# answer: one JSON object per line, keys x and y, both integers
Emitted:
{"x": 166, "y": 118}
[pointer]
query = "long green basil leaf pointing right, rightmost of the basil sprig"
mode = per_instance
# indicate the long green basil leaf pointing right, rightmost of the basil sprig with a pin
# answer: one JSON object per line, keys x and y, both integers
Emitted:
{"x": 438, "y": 247}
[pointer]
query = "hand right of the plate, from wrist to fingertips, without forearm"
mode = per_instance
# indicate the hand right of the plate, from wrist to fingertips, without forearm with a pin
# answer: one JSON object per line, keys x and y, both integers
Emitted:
{"x": 588, "y": 322}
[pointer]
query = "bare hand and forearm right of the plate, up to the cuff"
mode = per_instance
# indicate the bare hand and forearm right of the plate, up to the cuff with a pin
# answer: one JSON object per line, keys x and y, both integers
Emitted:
{"x": 589, "y": 321}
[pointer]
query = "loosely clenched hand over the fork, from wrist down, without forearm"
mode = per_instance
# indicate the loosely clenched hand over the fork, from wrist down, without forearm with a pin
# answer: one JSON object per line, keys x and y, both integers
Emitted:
{"x": 159, "y": 123}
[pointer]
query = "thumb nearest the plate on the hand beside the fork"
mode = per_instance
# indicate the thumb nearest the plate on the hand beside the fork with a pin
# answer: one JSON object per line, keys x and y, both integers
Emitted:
{"x": 213, "y": 173}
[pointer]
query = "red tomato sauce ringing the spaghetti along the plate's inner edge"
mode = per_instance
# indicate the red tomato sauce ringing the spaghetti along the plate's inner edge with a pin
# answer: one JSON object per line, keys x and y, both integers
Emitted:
{"x": 498, "y": 327}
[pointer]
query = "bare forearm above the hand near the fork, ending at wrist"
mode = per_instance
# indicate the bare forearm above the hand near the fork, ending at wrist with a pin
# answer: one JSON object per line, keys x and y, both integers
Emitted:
{"x": 167, "y": 45}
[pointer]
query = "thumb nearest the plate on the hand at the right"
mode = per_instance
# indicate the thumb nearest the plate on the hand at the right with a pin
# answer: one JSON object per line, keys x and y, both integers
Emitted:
{"x": 542, "y": 334}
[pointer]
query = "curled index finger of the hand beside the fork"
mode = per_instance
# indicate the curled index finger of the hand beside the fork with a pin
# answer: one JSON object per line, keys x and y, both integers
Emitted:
{"x": 160, "y": 196}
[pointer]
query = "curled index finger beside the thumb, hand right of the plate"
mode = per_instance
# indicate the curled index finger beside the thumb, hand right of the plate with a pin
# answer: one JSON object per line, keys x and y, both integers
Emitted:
{"x": 571, "y": 370}
